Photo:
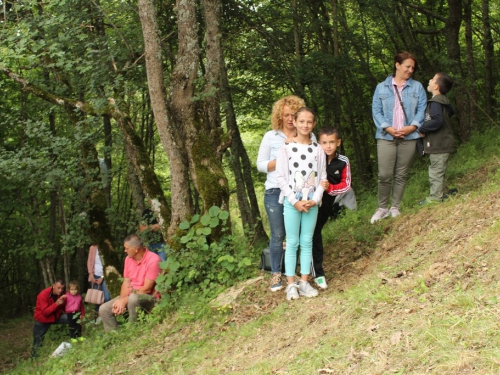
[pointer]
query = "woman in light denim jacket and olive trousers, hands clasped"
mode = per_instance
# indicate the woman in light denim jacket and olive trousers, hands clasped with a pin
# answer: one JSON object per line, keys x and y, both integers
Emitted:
{"x": 397, "y": 131}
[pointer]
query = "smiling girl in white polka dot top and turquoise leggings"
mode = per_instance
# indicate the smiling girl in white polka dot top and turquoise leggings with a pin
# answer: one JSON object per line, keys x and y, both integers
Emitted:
{"x": 300, "y": 166}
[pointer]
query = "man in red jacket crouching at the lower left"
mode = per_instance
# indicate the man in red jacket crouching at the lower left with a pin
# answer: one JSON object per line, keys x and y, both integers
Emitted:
{"x": 49, "y": 309}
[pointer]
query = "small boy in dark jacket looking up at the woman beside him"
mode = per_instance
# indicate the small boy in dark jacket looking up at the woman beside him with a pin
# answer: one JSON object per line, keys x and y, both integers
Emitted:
{"x": 437, "y": 134}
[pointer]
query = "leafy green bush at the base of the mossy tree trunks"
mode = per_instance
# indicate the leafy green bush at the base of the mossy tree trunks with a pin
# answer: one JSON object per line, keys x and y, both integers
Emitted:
{"x": 203, "y": 262}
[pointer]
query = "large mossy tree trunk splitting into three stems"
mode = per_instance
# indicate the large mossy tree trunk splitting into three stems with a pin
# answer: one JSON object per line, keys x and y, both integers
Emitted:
{"x": 192, "y": 142}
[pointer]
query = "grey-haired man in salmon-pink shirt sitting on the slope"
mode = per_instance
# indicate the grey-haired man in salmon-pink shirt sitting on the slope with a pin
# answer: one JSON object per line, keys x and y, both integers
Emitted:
{"x": 138, "y": 287}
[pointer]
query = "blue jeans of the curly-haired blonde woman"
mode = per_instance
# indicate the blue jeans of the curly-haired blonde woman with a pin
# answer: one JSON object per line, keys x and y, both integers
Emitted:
{"x": 274, "y": 211}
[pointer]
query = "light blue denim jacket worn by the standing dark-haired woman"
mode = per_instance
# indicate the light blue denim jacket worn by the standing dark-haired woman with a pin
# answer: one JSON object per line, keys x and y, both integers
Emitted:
{"x": 414, "y": 102}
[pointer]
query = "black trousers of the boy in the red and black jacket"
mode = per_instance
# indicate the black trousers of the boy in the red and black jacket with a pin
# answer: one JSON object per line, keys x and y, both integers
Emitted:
{"x": 328, "y": 209}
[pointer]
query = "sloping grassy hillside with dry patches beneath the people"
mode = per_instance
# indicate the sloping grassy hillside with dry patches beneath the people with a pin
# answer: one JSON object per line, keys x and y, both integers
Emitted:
{"x": 412, "y": 295}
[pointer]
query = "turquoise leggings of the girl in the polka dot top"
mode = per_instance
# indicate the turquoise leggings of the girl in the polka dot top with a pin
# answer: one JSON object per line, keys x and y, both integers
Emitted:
{"x": 299, "y": 227}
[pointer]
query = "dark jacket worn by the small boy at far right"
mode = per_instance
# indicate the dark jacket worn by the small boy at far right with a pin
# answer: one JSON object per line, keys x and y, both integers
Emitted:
{"x": 437, "y": 127}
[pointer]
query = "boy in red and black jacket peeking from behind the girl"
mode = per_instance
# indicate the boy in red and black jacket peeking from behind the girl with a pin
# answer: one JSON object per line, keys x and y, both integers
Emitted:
{"x": 338, "y": 194}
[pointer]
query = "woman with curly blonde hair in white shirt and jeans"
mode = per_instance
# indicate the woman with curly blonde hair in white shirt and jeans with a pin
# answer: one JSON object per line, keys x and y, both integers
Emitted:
{"x": 282, "y": 124}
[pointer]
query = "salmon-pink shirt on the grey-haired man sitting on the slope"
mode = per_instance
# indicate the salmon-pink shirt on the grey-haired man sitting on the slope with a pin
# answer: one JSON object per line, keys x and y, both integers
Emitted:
{"x": 147, "y": 268}
